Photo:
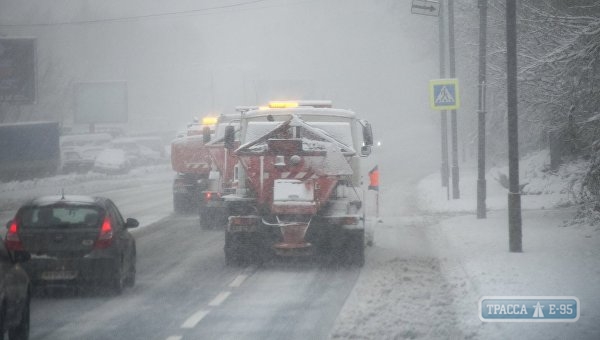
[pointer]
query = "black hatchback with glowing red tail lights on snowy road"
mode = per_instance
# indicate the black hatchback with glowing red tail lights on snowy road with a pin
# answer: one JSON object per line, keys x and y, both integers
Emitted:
{"x": 74, "y": 240}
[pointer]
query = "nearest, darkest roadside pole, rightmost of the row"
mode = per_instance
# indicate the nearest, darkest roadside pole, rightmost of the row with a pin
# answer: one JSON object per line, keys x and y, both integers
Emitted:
{"x": 514, "y": 195}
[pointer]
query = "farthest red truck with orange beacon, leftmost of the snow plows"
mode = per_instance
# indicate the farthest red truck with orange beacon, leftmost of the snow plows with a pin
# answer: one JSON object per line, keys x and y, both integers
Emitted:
{"x": 191, "y": 161}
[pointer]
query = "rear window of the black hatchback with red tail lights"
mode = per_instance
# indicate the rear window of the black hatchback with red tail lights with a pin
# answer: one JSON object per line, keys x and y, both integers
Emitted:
{"x": 61, "y": 216}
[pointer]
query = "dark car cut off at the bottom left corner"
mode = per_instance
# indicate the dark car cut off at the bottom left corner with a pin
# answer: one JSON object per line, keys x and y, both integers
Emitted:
{"x": 14, "y": 295}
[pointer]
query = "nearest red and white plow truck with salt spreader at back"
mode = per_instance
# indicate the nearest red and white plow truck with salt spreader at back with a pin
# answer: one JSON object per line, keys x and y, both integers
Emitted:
{"x": 298, "y": 184}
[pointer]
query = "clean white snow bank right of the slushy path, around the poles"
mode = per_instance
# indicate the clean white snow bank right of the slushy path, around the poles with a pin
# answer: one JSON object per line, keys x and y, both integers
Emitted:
{"x": 559, "y": 258}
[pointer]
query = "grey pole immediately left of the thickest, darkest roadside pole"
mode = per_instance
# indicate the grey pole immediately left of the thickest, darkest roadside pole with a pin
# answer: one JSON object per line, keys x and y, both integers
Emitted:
{"x": 481, "y": 184}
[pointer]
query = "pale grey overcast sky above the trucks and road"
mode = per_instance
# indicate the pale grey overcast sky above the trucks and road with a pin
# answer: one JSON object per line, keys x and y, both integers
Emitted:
{"x": 188, "y": 58}
